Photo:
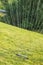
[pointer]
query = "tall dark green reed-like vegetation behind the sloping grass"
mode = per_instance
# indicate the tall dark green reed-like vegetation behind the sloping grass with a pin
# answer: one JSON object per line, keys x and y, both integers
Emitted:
{"x": 27, "y": 14}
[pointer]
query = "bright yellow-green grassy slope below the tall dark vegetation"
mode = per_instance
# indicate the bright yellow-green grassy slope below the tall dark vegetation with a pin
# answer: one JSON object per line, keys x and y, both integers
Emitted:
{"x": 19, "y": 46}
